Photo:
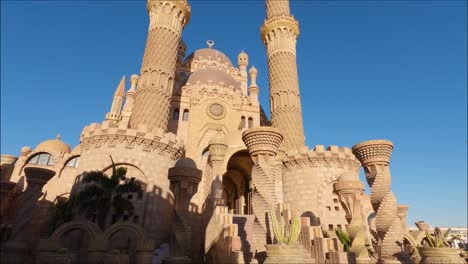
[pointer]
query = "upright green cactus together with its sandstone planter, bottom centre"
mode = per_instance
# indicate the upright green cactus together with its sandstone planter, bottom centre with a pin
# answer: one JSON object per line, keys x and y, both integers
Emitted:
{"x": 286, "y": 249}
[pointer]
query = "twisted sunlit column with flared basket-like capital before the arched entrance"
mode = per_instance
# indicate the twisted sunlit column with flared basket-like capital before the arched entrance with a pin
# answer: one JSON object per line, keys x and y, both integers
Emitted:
{"x": 263, "y": 144}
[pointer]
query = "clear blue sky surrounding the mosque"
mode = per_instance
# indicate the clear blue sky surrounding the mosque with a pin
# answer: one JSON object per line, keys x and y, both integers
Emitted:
{"x": 368, "y": 69}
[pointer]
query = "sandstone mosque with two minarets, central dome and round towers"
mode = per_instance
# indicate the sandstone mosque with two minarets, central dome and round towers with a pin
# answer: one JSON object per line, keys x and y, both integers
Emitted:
{"x": 191, "y": 130}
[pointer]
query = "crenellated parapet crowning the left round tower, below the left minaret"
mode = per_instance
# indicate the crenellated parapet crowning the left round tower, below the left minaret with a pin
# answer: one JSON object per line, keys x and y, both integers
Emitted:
{"x": 96, "y": 136}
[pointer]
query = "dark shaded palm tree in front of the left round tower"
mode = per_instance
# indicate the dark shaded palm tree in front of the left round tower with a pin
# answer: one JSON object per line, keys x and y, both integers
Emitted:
{"x": 102, "y": 192}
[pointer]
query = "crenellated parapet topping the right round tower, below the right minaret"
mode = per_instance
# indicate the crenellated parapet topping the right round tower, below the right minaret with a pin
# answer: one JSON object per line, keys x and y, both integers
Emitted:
{"x": 333, "y": 156}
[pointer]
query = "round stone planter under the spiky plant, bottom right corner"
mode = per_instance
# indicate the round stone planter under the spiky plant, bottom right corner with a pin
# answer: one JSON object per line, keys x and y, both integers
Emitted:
{"x": 430, "y": 255}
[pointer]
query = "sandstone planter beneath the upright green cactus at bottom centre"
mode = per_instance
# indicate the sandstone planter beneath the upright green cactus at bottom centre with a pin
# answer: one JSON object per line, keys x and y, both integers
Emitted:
{"x": 284, "y": 254}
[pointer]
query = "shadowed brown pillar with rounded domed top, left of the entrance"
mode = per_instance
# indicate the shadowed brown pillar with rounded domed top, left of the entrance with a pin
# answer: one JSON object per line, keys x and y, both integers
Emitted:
{"x": 184, "y": 178}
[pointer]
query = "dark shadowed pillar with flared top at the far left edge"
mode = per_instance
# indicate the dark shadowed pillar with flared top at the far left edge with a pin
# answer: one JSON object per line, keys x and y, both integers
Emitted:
{"x": 17, "y": 250}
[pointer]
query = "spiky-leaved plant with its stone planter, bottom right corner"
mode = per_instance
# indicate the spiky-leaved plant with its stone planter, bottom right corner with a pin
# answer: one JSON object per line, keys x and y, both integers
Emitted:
{"x": 436, "y": 249}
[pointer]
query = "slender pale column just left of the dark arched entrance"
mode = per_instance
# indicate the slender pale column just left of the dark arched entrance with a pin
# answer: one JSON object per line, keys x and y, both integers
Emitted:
{"x": 217, "y": 155}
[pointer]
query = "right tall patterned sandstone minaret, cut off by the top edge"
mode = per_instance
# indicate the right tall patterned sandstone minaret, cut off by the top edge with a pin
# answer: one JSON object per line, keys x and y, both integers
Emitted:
{"x": 279, "y": 34}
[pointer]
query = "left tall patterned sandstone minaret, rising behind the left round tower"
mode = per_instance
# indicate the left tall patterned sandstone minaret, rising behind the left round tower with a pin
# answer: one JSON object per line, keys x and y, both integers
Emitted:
{"x": 153, "y": 96}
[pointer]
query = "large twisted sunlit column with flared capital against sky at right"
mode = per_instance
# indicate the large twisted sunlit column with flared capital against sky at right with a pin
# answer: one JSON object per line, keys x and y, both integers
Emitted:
{"x": 374, "y": 156}
